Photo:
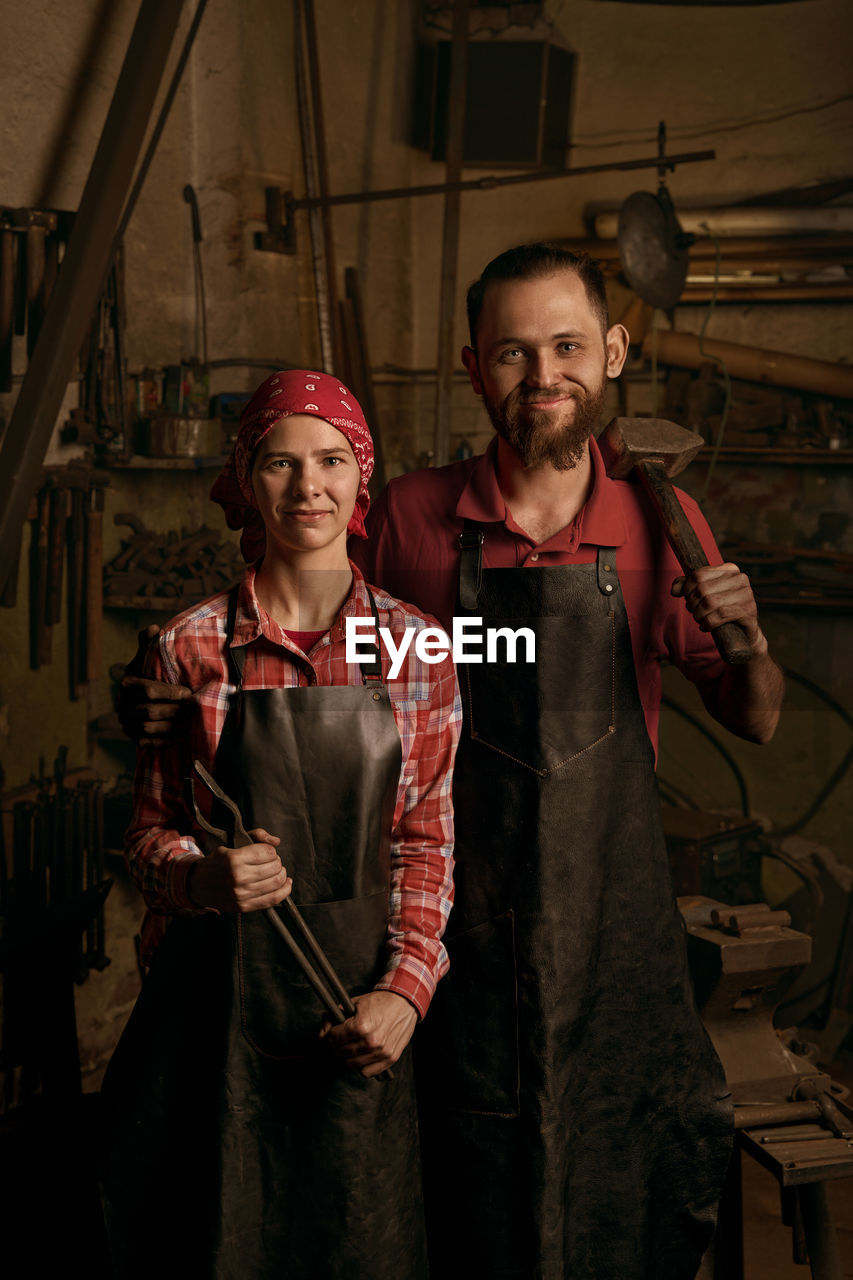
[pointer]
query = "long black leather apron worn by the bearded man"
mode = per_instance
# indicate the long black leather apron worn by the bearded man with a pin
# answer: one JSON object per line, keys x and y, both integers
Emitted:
{"x": 577, "y": 1116}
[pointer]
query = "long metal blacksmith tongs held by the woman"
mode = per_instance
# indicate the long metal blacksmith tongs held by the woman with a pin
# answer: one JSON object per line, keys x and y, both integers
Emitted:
{"x": 316, "y": 966}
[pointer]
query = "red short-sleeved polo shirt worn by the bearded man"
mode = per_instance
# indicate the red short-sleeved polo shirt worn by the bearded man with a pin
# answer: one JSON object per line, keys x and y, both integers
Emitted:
{"x": 413, "y": 552}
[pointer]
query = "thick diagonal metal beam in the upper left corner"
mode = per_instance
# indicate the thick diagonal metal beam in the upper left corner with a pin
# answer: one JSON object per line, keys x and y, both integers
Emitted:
{"x": 88, "y": 259}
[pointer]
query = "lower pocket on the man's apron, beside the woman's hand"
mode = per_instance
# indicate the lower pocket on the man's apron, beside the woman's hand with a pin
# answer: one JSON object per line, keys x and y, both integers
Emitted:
{"x": 471, "y": 1039}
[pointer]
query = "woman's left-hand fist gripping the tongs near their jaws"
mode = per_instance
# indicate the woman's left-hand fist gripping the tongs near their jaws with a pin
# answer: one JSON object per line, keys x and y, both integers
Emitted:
{"x": 241, "y": 880}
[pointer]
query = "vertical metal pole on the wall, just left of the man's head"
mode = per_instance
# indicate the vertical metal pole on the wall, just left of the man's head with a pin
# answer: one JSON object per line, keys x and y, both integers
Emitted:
{"x": 450, "y": 239}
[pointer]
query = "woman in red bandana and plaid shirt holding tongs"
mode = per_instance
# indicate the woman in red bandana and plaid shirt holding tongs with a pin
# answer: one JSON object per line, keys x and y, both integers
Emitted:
{"x": 244, "y": 1135}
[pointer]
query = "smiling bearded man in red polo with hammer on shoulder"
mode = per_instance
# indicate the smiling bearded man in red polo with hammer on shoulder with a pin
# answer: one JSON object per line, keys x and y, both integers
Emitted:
{"x": 576, "y": 1119}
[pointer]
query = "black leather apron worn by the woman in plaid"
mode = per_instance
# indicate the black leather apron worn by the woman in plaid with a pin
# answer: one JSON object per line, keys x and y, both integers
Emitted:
{"x": 235, "y": 1145}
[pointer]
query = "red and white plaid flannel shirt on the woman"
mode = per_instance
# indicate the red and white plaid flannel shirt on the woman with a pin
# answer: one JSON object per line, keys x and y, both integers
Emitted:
{"x": 163, "y": 839}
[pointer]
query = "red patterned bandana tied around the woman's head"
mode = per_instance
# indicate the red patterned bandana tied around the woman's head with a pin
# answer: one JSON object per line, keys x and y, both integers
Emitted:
{"x": 293, "y": 391}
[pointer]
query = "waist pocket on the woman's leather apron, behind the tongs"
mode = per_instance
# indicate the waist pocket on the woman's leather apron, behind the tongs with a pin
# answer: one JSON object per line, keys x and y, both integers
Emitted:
{"x": 281, "y": 1014}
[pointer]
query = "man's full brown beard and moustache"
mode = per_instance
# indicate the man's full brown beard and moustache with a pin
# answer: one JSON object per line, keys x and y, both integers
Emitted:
{"x": 556, "y": 437}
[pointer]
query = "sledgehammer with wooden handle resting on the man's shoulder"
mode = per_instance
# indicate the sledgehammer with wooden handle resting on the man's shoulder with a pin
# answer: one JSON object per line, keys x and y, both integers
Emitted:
{"x": 658, "y": 450}
